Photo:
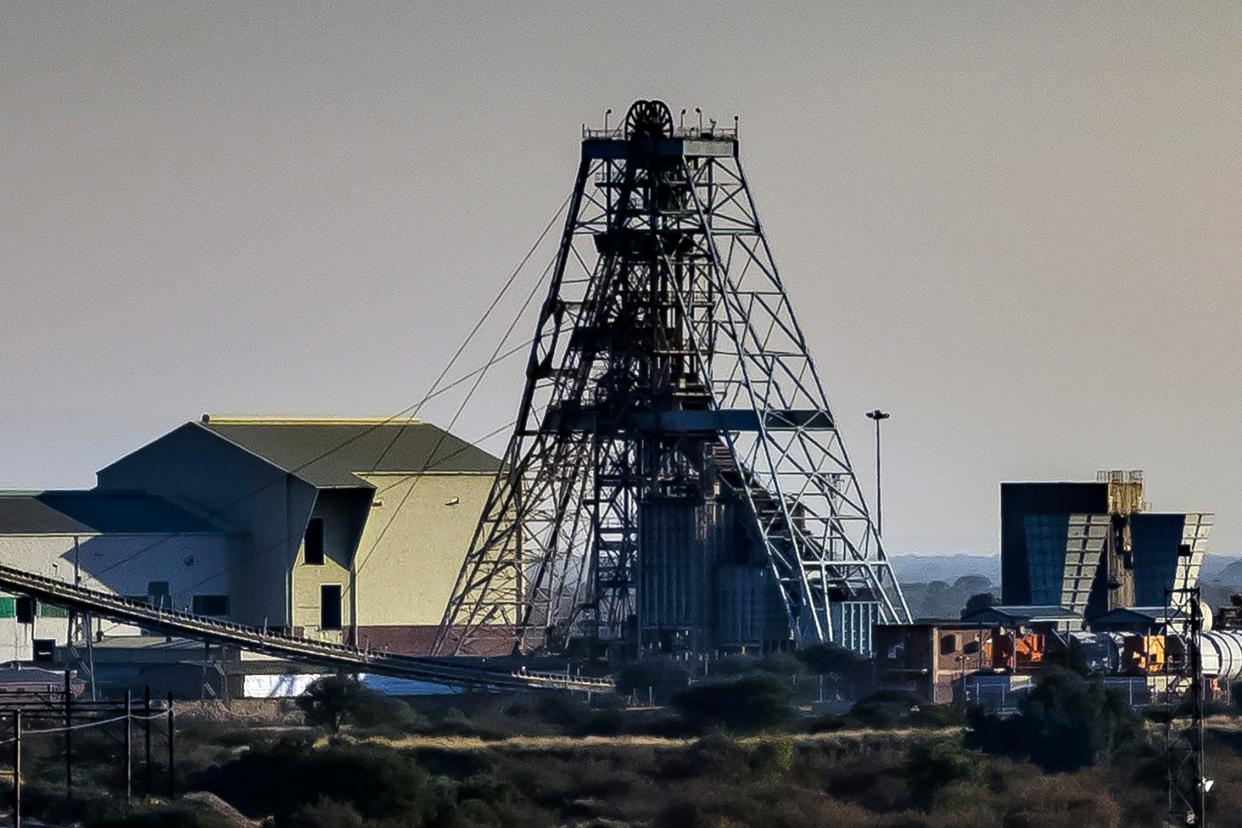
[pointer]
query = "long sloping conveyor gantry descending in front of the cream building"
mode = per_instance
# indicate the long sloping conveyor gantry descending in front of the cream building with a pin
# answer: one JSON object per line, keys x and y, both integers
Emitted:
{"x": 186, "y": 625}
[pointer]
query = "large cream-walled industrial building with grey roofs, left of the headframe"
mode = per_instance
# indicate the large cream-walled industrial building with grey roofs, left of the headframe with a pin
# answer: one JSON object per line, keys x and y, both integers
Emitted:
{"x": 345, "y": 531}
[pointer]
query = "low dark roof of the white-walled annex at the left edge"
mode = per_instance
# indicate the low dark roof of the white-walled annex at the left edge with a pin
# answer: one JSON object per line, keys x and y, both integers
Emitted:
{"x": 96, "y": 511}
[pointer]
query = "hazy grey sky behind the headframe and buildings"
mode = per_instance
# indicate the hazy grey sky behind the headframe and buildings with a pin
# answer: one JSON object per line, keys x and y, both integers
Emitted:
{"x": 1017, "y": 227}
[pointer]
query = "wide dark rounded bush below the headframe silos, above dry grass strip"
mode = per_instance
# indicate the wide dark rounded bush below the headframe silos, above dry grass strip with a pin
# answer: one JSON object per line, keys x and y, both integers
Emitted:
{"x": 746, "y": 703}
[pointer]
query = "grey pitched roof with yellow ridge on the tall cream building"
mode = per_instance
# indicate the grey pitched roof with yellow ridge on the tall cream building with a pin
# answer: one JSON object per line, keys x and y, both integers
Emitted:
{"x": 331, "y": 454}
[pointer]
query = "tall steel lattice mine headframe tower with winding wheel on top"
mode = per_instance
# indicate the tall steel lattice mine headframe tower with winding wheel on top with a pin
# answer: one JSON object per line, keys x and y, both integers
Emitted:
{"x": 668, "y": 368}
